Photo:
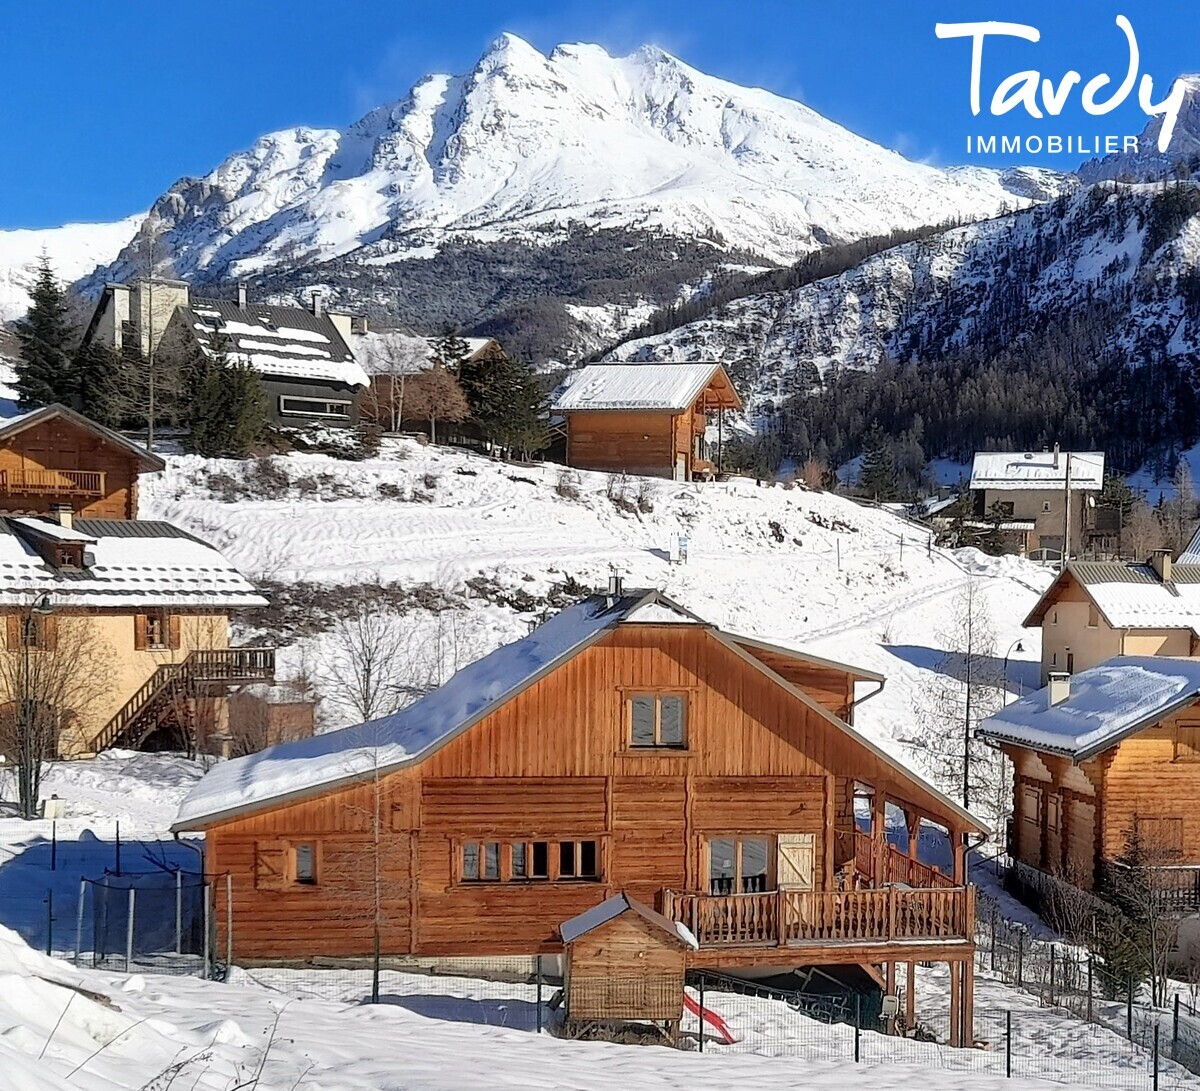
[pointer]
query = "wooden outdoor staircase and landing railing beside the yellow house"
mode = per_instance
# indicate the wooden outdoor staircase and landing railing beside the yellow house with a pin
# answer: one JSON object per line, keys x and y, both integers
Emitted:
{"x": 177, "y": 684}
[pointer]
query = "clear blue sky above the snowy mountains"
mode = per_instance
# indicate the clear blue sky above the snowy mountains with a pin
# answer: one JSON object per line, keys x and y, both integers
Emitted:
{"x": 104, "y": 106}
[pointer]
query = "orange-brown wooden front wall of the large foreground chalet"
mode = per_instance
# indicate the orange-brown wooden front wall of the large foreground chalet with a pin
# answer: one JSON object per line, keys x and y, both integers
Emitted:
{"x": 554, "y": 764}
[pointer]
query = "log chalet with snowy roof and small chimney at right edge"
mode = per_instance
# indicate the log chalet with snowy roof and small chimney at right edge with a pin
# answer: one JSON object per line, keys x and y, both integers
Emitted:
{"x": 1102, "y": 758}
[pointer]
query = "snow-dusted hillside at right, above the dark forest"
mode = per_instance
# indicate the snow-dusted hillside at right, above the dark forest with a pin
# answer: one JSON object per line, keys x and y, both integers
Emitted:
{"x": 982, "y": 283}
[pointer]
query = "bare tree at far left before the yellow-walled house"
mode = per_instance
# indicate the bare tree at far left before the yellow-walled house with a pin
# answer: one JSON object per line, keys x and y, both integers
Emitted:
{"x": 55, "y": 675}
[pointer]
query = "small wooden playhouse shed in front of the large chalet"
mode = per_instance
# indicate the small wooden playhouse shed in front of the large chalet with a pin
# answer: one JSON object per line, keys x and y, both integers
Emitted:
{"x": 626, "y": 964}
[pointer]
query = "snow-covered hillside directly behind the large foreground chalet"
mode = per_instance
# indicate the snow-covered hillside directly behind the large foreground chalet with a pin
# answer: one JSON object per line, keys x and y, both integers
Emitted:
{"x": 789, "y": 566}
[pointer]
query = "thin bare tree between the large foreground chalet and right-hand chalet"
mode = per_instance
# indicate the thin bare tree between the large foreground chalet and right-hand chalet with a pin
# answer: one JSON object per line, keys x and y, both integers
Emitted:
{"x": 965, "y": 687}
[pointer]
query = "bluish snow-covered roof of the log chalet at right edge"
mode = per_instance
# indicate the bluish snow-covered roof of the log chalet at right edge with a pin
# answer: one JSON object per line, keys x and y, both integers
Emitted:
{"x": 1106, "y": 705}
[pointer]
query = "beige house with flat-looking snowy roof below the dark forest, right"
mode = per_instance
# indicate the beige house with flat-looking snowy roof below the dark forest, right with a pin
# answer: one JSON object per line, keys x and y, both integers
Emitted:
{"x": 1030, "y": 489}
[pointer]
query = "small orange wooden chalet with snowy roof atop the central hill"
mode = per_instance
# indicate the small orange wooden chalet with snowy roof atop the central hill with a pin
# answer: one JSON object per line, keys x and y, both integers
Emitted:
{"x": 646, "y": 418}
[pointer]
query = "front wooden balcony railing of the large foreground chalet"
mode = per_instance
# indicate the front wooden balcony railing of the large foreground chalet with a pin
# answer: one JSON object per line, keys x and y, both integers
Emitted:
{"x": 808, "y": 918}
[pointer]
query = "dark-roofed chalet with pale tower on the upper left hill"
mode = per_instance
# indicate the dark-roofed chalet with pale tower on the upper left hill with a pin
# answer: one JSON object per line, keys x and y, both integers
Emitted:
{"x": 309, "y": 368}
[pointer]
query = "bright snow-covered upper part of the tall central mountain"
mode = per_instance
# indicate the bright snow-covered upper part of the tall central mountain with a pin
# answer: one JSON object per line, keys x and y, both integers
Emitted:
{"x": 524, "y": 145}
